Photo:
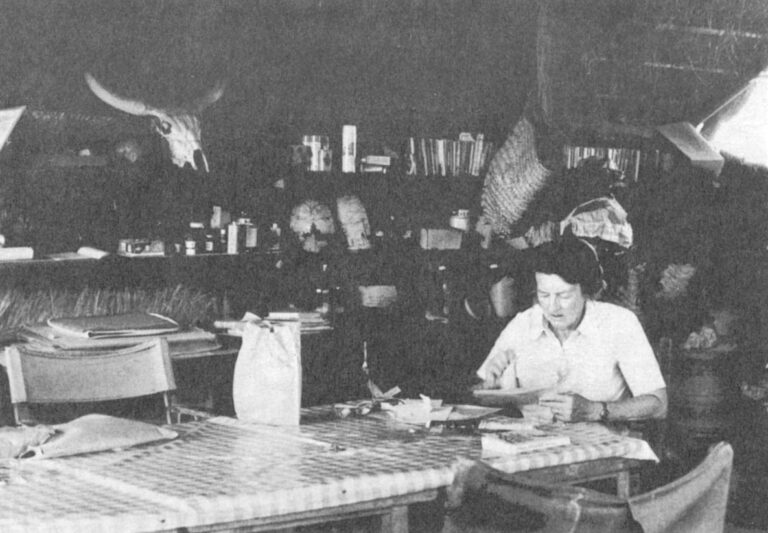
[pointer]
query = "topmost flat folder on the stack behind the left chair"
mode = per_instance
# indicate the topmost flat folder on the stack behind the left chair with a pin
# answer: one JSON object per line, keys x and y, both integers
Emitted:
{"x": 120, "y": 325}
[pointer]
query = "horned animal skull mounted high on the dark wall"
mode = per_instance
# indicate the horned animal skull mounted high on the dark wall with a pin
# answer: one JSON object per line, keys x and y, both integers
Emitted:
{"x": 179, "y": 126}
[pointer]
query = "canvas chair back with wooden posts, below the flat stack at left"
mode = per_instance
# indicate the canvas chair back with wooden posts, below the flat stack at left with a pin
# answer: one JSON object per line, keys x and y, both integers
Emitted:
{"x": 49, "y": 378}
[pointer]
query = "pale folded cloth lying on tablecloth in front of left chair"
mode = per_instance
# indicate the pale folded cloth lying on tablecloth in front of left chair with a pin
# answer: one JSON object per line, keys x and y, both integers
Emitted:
{"x": 97, "y": 432}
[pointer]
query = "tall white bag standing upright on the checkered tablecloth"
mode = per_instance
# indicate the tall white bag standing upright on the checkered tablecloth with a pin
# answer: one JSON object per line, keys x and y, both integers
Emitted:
{"x": 266, "y": 386}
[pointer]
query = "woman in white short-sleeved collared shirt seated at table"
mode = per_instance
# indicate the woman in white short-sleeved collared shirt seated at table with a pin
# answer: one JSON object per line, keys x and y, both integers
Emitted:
{"x": 592, "y": 358}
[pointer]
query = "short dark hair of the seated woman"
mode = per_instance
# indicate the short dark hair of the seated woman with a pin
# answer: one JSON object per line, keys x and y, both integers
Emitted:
{"x": 572, "y": 259}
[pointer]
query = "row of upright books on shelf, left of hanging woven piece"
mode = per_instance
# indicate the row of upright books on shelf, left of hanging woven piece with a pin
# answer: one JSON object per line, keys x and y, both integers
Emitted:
{"x": 466, "y": 156}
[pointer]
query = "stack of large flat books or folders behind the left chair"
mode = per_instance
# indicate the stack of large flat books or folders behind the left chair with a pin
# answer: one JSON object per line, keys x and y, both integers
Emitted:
{"x": 107, "y": 332}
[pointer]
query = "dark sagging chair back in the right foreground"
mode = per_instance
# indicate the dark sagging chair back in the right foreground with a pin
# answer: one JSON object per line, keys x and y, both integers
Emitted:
{"x": 488, "y": 501}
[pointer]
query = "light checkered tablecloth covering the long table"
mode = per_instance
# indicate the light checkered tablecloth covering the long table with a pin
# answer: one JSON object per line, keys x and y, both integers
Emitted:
{"x": 223, "y": 470}
